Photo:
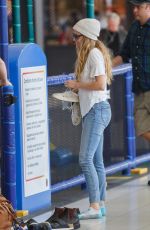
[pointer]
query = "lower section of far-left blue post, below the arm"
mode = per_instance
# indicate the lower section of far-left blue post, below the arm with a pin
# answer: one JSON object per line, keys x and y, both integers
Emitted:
{"x": 8, "y": 145}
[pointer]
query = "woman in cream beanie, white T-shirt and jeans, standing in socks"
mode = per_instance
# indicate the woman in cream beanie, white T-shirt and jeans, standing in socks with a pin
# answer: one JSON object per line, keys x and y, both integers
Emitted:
{"x": 93, "y": 73}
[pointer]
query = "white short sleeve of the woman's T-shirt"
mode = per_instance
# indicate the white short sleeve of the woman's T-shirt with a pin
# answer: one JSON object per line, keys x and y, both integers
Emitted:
{"x": 96, "y": 63}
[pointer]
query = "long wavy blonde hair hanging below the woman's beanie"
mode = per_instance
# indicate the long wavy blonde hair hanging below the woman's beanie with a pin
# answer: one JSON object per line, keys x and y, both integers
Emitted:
{"x": 82, "y": 55}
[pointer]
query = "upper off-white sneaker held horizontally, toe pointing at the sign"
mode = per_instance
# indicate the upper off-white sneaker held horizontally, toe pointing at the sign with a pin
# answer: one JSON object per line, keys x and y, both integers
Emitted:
{"x": 66, "y": 96}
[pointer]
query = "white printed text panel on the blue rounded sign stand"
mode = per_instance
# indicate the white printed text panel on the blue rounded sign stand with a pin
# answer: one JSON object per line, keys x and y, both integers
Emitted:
{"x": 35, "y": 130}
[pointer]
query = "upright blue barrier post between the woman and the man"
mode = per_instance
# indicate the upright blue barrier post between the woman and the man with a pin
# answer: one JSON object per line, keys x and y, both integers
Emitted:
{"x": 130, "y": 132}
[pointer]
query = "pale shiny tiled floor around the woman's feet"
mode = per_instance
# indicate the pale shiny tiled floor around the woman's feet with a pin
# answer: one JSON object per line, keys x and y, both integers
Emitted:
{"x": 128, "y": 208}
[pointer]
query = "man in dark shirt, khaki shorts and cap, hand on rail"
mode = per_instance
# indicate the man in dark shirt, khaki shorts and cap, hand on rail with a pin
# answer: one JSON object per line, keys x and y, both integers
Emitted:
{"x": 136, "y": 48}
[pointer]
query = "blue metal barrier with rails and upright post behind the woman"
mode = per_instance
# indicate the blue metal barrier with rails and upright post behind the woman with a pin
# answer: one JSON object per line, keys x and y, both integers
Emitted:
{"x": 131, "y": 159}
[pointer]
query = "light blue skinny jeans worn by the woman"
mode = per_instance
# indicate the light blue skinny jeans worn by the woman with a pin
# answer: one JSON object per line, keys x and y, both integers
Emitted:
{"x": 91, "y": 150}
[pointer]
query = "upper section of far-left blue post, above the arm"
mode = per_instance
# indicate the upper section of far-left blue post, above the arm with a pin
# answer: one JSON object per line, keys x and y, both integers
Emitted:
{"x": 4, "y": 32}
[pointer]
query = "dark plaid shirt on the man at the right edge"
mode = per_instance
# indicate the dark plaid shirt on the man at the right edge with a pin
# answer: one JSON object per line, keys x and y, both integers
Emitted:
{"x": 137, "y": 48}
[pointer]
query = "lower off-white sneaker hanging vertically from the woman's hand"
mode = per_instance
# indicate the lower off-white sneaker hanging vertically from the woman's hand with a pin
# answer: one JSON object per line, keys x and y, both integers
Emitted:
{"x": 76, "y": 114}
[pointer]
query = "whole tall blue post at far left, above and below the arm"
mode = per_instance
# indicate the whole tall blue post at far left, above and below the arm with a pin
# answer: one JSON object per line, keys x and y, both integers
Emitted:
{"x": 8, "y": 170}
